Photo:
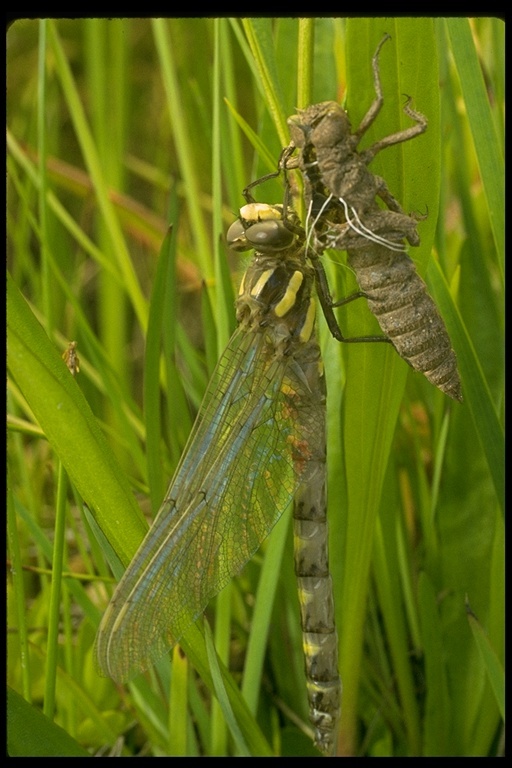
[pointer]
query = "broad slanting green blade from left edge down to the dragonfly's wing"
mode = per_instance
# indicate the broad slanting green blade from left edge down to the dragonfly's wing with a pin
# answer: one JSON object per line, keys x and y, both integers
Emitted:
{"x": 70, "y": 427}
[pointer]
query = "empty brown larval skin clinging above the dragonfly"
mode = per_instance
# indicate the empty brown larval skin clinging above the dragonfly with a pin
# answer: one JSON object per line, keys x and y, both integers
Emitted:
{"x": 341, "y": 194}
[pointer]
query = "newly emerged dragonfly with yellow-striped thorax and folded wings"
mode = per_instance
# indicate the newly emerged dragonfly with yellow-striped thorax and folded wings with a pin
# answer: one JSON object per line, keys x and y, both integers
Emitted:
{"x": 257, "y": 445}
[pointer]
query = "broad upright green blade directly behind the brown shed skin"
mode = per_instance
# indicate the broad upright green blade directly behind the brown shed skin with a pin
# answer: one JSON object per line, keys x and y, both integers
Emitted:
{"x": 375, "y": 377}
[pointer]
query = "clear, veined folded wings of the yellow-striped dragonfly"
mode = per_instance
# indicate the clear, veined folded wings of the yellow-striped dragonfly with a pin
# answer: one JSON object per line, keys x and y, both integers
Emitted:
{"x": 242, "y": 464}
